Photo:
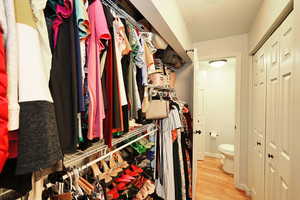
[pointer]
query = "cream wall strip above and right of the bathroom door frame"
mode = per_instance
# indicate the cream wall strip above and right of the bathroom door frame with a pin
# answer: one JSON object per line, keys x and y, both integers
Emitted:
{"x": 225, "y": 47}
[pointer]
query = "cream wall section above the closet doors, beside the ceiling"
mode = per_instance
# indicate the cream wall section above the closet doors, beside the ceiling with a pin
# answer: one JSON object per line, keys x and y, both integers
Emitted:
{"x": 268, "y": 17}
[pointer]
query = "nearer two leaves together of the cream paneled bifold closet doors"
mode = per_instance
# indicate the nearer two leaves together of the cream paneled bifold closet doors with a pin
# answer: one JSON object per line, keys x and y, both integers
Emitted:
{"x": 279, "y": 112}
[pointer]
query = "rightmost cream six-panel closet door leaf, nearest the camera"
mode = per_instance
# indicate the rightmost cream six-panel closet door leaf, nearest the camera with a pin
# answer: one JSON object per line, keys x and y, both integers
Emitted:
{"x": 286, "y": 106}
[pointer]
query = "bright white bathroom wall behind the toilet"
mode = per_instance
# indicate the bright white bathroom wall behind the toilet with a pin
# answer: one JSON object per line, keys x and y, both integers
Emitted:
{"x": 219, "y": 87}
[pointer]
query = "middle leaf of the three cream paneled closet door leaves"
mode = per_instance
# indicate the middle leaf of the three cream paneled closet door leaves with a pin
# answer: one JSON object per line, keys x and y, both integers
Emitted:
{"x": 272, "y": 120}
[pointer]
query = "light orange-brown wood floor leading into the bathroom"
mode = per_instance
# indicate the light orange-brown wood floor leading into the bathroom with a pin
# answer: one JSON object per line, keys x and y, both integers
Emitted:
{"x": 214, "y": 184}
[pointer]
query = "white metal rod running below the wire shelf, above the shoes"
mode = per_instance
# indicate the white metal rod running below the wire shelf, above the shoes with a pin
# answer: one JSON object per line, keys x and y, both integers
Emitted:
{"x": 154, "y": 131}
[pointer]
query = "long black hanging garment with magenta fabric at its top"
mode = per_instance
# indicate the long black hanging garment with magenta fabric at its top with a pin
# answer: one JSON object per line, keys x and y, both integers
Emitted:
{"x": 63, "y": 81}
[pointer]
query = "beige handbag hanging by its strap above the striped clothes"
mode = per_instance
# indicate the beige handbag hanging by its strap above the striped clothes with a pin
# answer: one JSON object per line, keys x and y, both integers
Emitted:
{"x": 157, "y": 109}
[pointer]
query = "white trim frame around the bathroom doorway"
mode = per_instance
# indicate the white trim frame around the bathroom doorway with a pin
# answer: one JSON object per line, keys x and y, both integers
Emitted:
{"x": 238, "y": 83}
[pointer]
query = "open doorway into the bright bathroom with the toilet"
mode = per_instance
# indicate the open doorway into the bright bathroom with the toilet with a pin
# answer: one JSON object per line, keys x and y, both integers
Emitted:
{"x": 217, "y": 115}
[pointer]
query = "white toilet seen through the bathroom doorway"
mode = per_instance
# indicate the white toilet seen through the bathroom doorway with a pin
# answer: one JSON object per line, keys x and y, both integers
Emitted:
{"x": 227, "y": 159}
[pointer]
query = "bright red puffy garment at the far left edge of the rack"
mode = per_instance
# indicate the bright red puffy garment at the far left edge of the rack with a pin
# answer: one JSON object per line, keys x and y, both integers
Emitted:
{"x": 3, "y": 106}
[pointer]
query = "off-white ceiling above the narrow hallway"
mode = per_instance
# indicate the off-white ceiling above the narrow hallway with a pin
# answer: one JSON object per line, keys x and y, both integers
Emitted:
{"x": 211, "y": 19}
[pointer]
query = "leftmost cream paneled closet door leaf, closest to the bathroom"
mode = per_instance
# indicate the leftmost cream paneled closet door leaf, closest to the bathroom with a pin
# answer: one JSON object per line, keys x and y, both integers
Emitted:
{"x": 259, "y": 128}
